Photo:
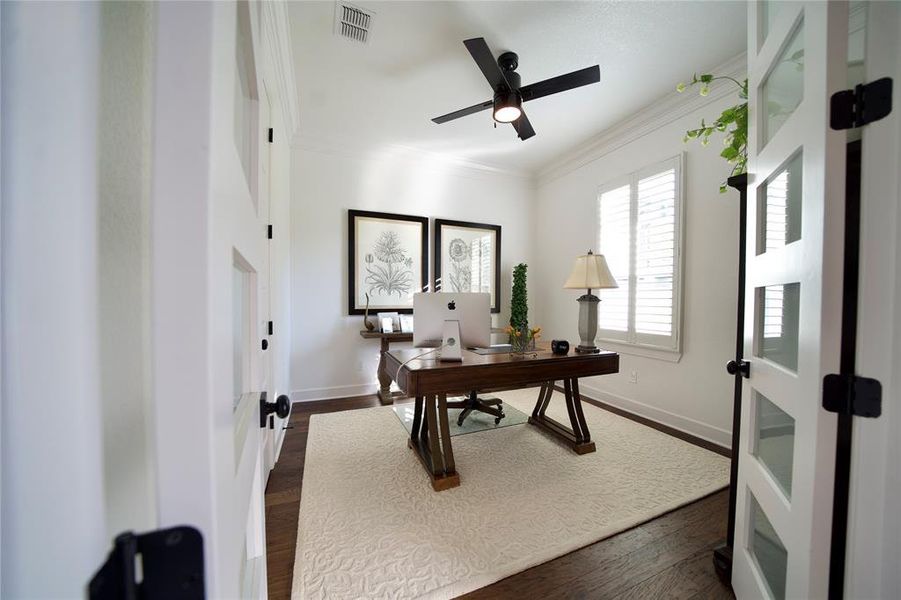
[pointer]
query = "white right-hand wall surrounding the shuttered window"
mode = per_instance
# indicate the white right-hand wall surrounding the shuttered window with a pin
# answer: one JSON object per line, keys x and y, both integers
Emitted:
{"x": 695, "y": 394}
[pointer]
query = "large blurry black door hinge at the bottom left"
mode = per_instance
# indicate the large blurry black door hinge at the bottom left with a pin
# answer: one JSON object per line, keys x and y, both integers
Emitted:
{"x": 171, "y": 566}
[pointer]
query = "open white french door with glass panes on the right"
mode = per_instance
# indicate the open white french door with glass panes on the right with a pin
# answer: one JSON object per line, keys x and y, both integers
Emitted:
{"x": 796, "y": 60}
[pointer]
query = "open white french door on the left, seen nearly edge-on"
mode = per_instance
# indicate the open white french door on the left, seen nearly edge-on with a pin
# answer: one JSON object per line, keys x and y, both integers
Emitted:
{"x": 210, "y": 286}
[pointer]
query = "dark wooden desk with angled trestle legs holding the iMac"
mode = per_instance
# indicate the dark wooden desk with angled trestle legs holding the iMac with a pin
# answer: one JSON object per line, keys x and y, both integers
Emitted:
{"x": 430, "y": 382}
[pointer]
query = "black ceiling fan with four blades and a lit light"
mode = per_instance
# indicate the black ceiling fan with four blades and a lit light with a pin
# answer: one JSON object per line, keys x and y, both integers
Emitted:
{"x": 508, "y": 95}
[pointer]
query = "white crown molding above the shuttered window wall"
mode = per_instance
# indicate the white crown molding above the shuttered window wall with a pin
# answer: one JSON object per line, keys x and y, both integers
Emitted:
{"x": 647, "y": 120}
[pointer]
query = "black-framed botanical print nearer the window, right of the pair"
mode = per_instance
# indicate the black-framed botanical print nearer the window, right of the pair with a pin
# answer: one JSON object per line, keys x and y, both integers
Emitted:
{"x": 468, "y": 258}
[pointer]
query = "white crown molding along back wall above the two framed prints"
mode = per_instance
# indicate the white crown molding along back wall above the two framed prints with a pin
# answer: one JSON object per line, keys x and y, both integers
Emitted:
{"x": 362, "y": 150}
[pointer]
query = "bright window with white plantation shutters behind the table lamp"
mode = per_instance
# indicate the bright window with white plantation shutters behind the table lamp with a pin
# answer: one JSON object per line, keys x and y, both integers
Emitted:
{"x": 639, "y": 233}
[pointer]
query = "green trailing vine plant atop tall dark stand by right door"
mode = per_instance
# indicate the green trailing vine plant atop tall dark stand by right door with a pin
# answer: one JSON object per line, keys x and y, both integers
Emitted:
{"x": 733, "y": 122}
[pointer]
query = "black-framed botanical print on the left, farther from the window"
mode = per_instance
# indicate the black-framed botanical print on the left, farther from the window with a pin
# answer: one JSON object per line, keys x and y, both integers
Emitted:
{"x": 387, "y": 261}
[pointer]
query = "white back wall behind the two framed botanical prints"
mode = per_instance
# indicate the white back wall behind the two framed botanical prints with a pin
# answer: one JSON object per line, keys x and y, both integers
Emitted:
{"x": 329, "y": 359}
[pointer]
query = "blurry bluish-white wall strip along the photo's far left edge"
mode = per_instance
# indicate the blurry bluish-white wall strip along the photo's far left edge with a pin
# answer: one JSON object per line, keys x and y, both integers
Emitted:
{"x": 52, "y": 509}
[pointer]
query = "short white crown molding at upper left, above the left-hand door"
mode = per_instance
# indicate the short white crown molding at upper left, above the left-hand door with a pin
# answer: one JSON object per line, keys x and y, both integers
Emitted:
{"x": 276, "y": 29}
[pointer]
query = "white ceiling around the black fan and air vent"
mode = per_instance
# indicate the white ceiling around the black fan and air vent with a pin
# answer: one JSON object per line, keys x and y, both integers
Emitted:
{"x": 415, "y": 67}
